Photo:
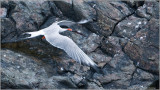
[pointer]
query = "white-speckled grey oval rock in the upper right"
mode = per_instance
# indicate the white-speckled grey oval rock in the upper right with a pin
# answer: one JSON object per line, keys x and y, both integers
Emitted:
{"x": 130, "y": 26}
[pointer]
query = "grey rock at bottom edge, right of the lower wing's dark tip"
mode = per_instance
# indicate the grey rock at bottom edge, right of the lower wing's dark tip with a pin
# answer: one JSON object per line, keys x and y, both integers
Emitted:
{"x": 117, "y": 72}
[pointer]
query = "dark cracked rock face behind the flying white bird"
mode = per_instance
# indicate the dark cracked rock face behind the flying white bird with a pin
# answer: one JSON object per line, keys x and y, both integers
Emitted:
{"x": 121, "y": 37}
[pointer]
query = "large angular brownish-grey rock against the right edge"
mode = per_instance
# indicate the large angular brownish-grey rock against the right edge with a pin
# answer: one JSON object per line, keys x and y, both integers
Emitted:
{"x": 142, "y": 44}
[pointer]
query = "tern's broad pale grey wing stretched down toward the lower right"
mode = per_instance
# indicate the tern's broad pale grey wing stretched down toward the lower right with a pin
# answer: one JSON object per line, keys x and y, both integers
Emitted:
{"x": 67, "y": 44}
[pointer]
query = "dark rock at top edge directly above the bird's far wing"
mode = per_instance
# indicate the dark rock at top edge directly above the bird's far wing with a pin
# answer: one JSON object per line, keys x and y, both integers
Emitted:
{"x": 74, "y": 9}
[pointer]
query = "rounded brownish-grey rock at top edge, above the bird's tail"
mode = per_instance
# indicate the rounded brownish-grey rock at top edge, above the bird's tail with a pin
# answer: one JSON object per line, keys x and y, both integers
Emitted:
{"x": 30, "y": 15}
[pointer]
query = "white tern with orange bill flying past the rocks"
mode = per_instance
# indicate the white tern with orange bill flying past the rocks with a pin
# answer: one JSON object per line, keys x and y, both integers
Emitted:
{"x": 52, "y": 34}
